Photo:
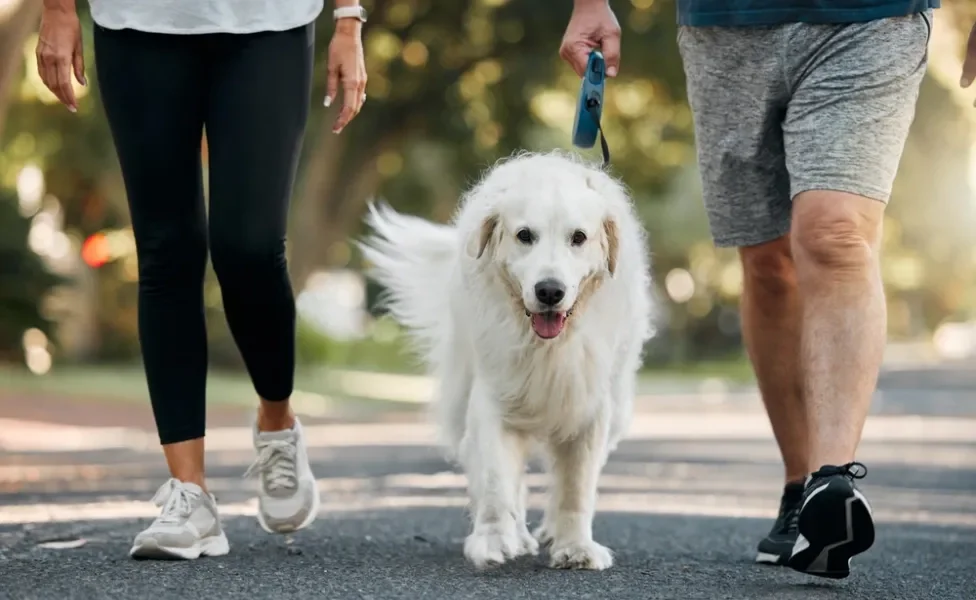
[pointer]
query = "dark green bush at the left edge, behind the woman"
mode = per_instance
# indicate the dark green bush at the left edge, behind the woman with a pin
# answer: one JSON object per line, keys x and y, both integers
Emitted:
{"x": 25, "y": 281}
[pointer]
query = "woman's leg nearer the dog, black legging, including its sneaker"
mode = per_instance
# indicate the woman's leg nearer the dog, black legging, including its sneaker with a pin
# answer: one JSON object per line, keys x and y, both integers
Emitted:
{"x": 255, "y": 123}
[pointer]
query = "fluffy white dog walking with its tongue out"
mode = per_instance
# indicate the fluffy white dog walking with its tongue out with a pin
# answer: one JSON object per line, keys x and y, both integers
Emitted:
{"x": 531, "y": 310}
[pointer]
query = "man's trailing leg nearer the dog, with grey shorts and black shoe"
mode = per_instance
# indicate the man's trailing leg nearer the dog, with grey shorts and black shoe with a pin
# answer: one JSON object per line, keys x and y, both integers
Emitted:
{"x": 738, "y": 97}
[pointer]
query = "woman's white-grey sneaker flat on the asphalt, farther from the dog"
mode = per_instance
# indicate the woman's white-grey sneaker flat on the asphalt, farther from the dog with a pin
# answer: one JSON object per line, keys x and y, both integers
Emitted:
{"x": 188, "y": 527}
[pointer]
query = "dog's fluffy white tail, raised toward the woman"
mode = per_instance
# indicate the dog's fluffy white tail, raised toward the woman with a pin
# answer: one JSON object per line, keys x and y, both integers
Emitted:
{"x": 412, "y": 259}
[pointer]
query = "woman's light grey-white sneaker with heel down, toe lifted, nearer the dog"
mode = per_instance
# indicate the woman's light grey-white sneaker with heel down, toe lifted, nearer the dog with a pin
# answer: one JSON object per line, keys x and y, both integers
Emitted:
{"x": 288, "y": 497}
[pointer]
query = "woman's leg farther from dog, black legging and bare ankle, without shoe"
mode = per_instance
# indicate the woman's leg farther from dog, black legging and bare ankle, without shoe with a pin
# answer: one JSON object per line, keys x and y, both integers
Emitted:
{"x": 151, "y": 91}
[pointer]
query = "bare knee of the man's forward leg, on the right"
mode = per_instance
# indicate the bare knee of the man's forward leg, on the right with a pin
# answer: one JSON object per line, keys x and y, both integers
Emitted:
{"x": 836, "y": 232}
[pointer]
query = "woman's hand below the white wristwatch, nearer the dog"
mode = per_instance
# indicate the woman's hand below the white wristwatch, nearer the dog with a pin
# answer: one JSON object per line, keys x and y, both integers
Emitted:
{"x": 347, "y": 68}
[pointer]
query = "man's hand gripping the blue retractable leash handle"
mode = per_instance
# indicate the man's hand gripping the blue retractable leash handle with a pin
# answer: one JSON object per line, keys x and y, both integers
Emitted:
{"x": 593, "y": 25}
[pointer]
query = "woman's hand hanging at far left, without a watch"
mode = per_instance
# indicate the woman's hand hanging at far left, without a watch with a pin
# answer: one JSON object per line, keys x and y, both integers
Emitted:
{"x": 59, "y": 51}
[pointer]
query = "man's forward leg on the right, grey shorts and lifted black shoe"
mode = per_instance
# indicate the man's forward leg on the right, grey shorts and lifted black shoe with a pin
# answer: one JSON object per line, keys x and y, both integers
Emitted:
{"x": 853, "y": 100}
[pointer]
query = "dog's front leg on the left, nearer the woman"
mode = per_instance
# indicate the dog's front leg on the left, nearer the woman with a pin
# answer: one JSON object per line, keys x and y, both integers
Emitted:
{"x": 494, "y": 459}
